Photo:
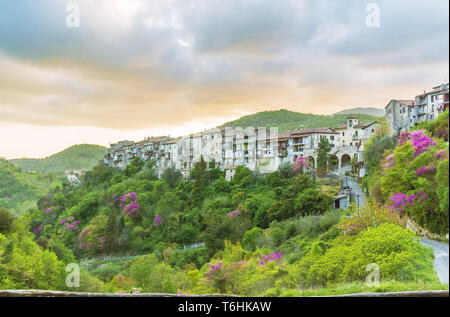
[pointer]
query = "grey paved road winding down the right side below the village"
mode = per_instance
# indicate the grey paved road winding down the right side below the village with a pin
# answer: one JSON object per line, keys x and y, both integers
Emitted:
{"x": 441, "y": 250}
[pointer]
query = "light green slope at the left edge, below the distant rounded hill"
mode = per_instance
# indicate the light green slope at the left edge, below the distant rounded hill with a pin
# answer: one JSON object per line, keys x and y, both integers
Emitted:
{"x": 19, "y": 190}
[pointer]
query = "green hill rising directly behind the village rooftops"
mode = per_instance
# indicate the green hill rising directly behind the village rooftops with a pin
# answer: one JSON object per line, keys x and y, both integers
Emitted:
{"x": 289, "y": 120}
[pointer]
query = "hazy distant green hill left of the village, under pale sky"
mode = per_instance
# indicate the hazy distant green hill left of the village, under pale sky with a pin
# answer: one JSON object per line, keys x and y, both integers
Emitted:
{"x": 83, "y": 156}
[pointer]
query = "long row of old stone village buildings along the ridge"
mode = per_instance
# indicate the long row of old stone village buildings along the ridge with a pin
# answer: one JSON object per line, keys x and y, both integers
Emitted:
{"x": 264, "y": 150}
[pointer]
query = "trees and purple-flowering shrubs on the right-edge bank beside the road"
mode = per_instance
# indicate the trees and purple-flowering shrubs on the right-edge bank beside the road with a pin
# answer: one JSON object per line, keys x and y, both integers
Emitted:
{"x": 412, "y": 177}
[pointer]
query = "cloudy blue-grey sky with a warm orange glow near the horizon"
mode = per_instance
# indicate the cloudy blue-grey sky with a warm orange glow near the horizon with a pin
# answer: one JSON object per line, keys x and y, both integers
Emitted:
{"x": 137, "y": 68}
